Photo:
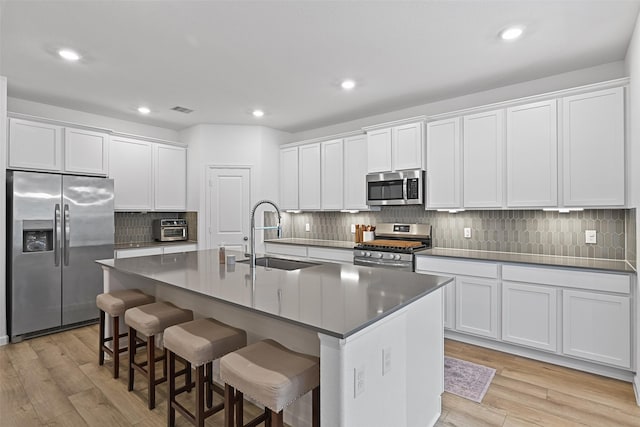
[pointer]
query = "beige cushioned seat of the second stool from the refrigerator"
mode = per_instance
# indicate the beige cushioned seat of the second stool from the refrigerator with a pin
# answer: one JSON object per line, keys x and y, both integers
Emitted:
{"x": 151, "y": 319}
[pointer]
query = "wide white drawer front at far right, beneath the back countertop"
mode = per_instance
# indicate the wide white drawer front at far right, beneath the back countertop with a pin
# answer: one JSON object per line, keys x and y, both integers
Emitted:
{"x": 619, "y": 283}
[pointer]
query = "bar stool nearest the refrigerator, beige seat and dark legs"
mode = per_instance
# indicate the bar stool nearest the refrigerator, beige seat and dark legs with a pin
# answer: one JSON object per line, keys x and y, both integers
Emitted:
{"x": 115, "y": 304}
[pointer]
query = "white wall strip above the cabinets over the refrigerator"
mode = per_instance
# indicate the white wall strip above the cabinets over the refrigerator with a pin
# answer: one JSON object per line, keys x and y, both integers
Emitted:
{"x": 16, "y": 105}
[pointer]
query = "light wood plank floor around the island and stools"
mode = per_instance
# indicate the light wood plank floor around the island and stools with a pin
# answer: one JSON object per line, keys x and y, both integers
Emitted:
{"x": 55, "y": 380}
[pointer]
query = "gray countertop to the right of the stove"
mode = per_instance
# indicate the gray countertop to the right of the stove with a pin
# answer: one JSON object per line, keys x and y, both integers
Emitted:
{"x": 620, "y": 266}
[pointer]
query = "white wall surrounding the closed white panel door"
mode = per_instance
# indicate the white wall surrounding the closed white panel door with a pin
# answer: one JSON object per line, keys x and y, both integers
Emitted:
{"x": 231, "y": 145}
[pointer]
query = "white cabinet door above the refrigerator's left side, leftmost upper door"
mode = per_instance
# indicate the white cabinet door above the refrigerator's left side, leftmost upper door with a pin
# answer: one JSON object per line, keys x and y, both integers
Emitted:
{"x": 34, "y": 145}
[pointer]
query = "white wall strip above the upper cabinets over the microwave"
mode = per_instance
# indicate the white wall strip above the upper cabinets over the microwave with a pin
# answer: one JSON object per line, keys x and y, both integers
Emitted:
{"x": 571, "y": 79}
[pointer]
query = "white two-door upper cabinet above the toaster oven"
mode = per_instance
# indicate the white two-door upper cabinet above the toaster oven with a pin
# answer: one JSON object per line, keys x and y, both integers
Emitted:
{"x": 147, "y": 176}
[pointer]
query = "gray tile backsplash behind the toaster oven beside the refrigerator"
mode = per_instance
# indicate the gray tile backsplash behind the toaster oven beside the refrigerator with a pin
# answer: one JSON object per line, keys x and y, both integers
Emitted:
{"x": 135, "y": 227}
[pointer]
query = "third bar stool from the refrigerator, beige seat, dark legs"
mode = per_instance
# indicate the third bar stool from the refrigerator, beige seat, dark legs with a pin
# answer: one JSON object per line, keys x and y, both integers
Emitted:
{"x": 199, "y": 342}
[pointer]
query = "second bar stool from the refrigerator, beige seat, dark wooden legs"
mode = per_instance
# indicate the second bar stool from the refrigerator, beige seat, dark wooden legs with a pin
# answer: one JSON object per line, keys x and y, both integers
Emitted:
{"x": 150, "y": 320}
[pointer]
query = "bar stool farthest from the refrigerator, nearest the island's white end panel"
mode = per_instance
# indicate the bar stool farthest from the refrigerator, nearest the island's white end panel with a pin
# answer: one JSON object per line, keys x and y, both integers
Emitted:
{"x": 272, "y": 375}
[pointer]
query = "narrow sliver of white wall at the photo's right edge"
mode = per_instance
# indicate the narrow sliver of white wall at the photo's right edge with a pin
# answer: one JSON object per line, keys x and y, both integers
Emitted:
{"x": 632, "y": 64}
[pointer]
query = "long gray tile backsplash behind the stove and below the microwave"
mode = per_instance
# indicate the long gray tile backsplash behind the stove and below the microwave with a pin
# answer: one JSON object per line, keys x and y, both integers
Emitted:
{"x": 523, "y": 231}
